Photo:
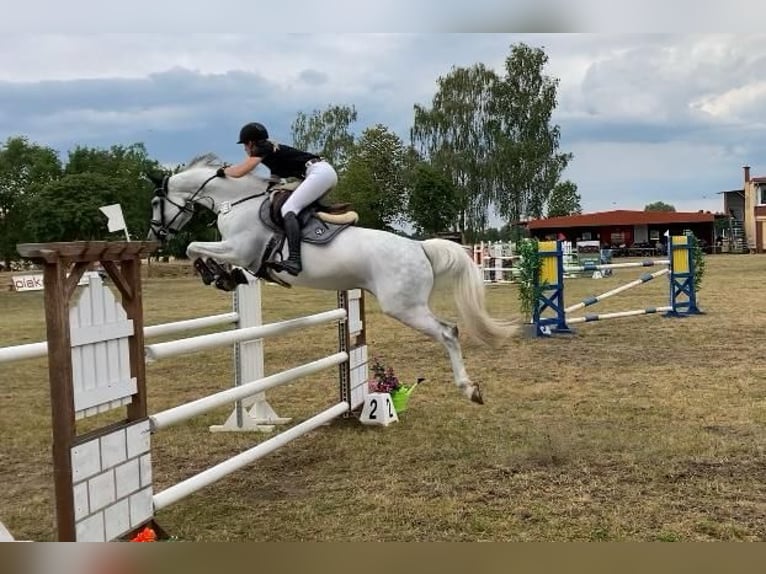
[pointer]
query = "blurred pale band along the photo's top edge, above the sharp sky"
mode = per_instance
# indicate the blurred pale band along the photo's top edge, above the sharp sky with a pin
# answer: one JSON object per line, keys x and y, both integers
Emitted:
{"x": 333, "y": 16}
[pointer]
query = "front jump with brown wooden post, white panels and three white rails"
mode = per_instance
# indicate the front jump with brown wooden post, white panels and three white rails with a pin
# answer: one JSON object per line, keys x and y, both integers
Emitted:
{"x": 97, "y": 362}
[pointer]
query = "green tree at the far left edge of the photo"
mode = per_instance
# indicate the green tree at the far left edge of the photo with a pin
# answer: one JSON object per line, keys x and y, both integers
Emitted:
{"x": 24, "y": 168}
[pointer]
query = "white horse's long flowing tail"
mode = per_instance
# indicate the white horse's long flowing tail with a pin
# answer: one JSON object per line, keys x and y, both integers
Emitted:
{"x": 453, "y": 266}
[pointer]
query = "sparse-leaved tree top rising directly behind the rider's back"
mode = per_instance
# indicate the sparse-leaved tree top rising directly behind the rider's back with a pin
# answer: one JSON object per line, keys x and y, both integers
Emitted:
{"x": 326, "y": 133}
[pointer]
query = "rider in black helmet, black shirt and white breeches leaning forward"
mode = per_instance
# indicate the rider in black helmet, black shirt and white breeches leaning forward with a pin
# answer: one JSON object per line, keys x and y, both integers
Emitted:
{"x": 319, "y": 177}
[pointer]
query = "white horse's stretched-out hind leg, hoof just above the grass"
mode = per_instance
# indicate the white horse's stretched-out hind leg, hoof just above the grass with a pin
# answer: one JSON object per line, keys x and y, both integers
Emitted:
{"x": 422, "y": 319}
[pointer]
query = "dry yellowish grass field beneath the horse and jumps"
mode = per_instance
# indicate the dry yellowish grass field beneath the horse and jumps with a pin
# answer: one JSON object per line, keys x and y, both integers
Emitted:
{"x": 635, "y": 429}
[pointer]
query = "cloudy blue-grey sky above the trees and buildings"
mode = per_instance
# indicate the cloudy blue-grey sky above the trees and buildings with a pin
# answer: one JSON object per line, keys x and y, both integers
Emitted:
{"x": 669, "y": 116}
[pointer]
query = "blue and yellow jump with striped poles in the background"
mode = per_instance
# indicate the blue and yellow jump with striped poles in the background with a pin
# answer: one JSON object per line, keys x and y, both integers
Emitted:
{"x": 682, "y": 299}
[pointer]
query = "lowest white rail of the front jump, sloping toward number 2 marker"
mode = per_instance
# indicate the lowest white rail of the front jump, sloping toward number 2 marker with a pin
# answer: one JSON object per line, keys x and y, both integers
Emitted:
{"x": 207, "y": 477}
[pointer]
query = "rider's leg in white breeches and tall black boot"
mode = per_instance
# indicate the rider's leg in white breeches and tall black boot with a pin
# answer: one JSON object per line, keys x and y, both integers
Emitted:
{"x": 320, "y": 178}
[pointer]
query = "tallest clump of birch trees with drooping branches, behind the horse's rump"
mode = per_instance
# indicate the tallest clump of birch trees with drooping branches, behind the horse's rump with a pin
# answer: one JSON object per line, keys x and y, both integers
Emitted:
{"x": 494, "y": 137}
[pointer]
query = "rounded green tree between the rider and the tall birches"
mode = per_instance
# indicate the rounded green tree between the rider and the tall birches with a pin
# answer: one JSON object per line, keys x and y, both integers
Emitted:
{"x": 375, "y": 178}
